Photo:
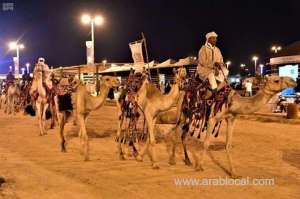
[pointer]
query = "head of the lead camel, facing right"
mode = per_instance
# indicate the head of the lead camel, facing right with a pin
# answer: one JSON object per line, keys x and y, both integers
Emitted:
{"x": 275, "y": 84}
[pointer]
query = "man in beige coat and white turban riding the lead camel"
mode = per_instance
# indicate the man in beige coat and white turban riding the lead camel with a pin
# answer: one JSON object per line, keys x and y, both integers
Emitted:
{"x": 211, "y": 66}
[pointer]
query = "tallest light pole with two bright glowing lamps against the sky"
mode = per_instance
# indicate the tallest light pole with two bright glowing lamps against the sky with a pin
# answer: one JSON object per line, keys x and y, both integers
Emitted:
{"x": 97, "y": 20}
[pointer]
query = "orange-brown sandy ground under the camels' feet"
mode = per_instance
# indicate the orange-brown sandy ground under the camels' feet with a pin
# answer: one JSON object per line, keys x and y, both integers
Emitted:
{"x": 34, "y": 167}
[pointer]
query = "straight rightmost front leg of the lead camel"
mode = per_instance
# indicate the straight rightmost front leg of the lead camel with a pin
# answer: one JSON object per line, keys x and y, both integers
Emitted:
{"x": 230, "y": 126}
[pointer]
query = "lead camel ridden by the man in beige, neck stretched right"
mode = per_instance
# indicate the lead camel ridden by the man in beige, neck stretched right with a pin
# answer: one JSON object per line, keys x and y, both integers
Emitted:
{"x": 238, "y": 105}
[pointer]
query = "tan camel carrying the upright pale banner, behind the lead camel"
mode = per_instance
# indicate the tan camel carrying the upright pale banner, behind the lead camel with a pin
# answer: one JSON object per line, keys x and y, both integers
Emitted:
{"x": 152, "y": 102}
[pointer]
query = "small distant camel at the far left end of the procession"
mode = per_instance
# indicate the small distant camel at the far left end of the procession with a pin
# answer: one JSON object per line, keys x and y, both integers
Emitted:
{"x": 12, "y": 97}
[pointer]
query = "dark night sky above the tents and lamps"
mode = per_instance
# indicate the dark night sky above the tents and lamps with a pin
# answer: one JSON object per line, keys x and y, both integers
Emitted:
{"x": 174, "y": 29}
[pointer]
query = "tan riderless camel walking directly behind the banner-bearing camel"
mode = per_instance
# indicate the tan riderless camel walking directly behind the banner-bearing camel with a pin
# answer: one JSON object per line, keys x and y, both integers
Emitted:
{"x": 83, "y": 103}
